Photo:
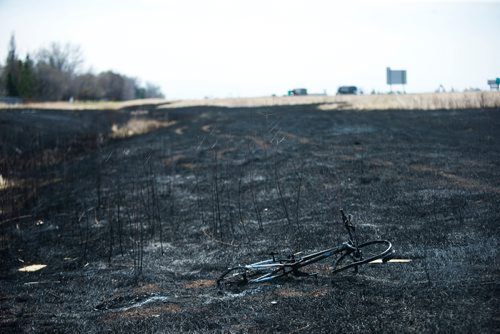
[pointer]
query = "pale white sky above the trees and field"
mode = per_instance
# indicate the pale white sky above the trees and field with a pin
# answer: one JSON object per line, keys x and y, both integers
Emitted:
{"x": 232, "y": 48}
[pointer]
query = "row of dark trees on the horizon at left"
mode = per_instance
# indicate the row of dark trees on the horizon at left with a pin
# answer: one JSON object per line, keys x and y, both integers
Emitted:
{"x": 53, "y": 74}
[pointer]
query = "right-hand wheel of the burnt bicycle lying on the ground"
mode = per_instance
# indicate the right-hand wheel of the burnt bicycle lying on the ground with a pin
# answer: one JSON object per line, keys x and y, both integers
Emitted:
{"x": 365, "y": 253}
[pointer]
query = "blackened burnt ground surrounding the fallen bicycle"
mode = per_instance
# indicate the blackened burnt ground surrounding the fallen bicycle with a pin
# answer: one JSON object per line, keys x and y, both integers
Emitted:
{"x": 135, "y": 213}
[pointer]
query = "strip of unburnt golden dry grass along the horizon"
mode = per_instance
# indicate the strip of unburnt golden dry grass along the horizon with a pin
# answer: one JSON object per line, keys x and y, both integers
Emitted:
{"x": 423, "y": 101}
